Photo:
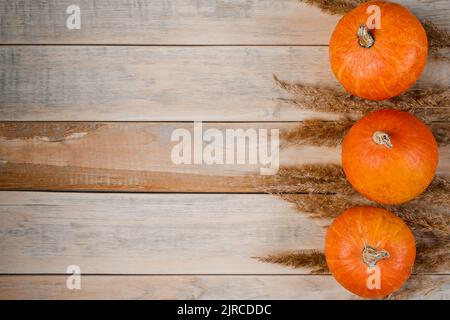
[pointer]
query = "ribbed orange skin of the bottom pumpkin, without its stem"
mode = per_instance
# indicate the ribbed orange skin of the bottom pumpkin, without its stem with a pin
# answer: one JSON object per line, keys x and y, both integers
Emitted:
{"x": 360, "y": 226}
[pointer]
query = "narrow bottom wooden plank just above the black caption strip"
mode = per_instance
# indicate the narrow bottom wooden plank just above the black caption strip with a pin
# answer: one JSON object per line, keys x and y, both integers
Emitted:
{"x": 205, "y": 287}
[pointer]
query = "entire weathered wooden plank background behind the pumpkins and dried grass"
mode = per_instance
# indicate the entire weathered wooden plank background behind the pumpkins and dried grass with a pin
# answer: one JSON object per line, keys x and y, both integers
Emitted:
{"x": 93, "y": 110}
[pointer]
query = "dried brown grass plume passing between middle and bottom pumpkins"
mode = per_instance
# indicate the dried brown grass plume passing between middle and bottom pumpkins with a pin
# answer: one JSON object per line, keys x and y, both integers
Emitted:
{"x": 426, "y": 214}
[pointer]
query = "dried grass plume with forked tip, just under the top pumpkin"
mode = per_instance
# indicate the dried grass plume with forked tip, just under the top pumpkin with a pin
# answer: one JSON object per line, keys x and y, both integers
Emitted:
{"x": 429, "y": 104}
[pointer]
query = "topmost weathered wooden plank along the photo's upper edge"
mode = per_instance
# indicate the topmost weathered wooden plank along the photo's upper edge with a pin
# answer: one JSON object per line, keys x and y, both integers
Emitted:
{"x": 184, "y": 22}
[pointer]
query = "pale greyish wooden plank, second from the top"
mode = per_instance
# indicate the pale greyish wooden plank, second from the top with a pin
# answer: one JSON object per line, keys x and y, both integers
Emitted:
{"x": 84, "y": 83}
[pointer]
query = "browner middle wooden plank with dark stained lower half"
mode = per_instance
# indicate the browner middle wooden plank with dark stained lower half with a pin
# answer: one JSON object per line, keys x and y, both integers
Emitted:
{"x": 138, "y": 157}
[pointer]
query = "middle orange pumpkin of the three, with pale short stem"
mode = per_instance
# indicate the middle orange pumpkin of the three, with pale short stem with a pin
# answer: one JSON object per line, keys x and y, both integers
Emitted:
{"x": 389, "y": 156}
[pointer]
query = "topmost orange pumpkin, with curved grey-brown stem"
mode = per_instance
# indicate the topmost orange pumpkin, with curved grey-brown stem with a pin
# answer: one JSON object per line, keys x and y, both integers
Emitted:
{"x": 378, "y": 64}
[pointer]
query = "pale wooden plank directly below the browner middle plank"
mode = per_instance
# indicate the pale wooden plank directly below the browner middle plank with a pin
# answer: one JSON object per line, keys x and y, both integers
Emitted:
{"x": 150, "y": 233}
